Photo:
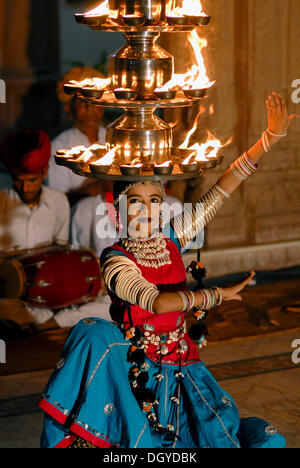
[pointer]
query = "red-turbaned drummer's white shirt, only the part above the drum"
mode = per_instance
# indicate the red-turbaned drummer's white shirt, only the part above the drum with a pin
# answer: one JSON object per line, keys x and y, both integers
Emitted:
{"x": 27, "y": 228}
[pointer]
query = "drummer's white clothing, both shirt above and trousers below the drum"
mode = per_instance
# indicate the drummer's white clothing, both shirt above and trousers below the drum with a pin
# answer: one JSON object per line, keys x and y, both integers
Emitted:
{"x": 46, "y": 223}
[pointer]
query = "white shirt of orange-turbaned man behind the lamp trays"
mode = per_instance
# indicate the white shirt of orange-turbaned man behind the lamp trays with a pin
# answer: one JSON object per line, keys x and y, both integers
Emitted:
{"x": 59, "y": 177}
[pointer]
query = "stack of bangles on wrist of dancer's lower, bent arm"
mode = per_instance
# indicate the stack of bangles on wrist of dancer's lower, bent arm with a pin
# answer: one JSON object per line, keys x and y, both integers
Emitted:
{"x": 210, "y": 299}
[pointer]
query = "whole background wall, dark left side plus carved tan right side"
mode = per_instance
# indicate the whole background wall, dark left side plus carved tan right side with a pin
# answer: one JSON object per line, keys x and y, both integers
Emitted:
{"x": 253, "y": 48}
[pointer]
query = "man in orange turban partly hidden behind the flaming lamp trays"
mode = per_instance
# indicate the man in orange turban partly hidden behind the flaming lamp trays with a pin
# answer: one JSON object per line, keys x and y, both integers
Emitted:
{"x": 86, "y": 131}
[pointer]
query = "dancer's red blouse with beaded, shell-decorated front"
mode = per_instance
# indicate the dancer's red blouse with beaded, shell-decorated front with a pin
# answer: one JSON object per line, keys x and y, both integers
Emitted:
{"x": 160, "y": 331}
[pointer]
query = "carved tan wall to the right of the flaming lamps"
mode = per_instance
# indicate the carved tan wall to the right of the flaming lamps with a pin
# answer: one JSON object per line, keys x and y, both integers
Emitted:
{"x": 253, "y": 49}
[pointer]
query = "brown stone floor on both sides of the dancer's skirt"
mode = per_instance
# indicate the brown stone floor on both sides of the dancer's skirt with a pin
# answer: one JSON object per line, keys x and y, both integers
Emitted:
{"x": 257, "y": 371}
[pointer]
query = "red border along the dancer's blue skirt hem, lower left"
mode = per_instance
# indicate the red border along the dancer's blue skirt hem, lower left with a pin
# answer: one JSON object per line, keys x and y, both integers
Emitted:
{"x": 74, "y": 428}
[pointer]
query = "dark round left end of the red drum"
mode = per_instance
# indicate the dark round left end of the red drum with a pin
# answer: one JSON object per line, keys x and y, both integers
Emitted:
{"x": 12, "y": 279}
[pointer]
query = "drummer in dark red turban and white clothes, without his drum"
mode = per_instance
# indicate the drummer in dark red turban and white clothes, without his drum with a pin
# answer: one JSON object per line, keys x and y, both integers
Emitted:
{"x": 32, "y": 215}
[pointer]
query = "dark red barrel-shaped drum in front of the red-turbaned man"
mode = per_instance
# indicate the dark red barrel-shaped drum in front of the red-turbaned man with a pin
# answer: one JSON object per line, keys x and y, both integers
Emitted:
{"x": 52, "y": 277}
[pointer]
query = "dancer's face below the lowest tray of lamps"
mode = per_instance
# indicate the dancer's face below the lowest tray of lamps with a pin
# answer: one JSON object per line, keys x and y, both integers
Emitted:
{"x": 143, "y": 210}
